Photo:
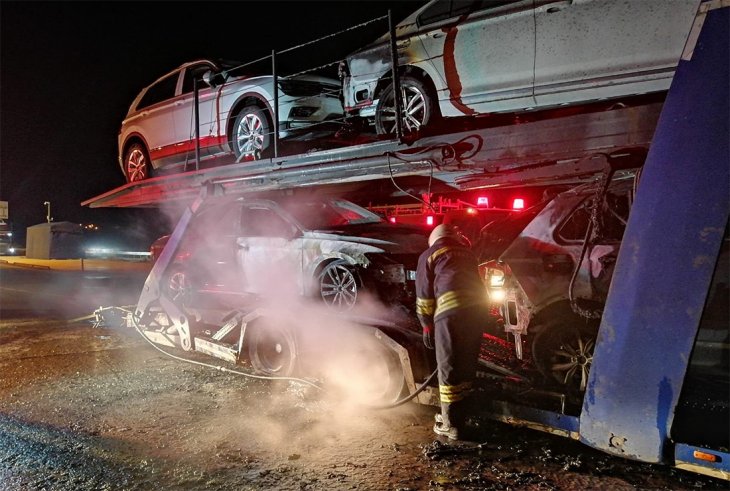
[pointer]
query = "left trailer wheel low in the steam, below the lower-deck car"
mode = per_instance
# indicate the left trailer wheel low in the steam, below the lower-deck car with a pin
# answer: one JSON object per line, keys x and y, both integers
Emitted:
{"x": 272, "y": 350}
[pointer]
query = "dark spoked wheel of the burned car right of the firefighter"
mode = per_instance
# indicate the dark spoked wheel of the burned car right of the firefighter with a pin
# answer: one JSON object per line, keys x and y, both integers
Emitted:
{"x": 563, "y": 351}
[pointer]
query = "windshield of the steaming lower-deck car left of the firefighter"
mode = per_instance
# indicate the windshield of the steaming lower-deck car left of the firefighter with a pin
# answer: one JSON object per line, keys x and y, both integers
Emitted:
{"x": 323, "y": 215}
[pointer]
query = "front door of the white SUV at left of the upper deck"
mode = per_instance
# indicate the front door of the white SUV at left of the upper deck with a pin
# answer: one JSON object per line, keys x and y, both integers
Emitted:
{"x": 184, "y": 114}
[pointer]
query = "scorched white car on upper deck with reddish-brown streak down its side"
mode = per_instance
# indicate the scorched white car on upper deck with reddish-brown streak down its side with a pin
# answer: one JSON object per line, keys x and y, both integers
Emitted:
{"x": 471, "y": 57}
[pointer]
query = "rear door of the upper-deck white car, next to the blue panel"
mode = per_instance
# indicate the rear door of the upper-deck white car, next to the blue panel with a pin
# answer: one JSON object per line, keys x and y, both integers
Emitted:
{"x": 591, "y": 49}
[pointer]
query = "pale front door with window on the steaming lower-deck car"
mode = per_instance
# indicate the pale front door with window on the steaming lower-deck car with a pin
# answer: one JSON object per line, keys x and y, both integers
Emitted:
{"x": 269, "y": 252}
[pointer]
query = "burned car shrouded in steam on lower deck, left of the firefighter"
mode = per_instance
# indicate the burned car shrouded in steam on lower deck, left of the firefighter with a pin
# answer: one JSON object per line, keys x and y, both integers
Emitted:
{"x": 328, "y": 249}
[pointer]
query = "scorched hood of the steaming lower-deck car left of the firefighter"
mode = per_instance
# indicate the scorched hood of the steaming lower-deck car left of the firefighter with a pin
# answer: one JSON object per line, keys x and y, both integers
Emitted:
{"x": 386, "y": 237}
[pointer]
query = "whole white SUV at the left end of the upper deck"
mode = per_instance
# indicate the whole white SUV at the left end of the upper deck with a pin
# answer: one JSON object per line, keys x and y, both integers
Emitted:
{"x": 236, "y": 115}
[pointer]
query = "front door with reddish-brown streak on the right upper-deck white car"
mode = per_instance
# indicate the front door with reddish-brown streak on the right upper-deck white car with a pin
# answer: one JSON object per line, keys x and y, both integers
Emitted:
{"x": 483, "y": 50}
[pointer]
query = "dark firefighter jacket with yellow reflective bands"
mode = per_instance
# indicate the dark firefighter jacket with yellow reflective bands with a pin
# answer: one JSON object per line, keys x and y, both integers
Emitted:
{"x": 447, "y": 280}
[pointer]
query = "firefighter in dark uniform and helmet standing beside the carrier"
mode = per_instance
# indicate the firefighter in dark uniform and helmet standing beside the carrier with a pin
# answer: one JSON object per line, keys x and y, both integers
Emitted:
{"x": 451, "y": 307}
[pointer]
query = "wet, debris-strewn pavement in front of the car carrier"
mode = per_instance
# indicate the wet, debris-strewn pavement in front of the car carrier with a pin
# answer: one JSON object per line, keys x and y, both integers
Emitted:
{"x": 84, "y": 408}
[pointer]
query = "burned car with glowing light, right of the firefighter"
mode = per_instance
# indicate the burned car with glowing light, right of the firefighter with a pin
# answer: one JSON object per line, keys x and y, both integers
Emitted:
{"x": 548, "y": 269}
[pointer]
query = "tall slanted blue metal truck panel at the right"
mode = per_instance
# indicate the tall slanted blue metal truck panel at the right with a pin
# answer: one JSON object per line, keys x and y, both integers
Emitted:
{"x": 666, "y": 262}
